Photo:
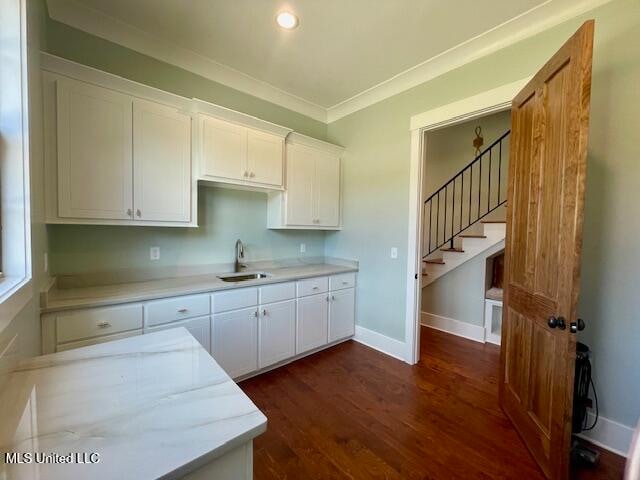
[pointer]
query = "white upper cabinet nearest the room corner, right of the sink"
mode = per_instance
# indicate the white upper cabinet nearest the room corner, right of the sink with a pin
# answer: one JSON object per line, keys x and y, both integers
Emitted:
{"x": 312, "y": 199}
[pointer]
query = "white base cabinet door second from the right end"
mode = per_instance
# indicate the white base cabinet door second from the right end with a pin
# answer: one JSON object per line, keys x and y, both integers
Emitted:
{"x": 312, "y": 319}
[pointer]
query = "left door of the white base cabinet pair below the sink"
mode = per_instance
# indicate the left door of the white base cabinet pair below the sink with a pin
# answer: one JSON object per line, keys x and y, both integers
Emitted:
{"x": 234, "y": 343}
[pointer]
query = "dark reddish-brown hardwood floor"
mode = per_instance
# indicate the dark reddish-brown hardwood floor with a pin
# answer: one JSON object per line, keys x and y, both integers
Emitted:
{"x": 352, "y": 412}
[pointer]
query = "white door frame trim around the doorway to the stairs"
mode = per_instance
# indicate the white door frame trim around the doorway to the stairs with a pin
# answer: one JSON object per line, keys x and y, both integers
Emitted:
{"x": 490, "y": 101}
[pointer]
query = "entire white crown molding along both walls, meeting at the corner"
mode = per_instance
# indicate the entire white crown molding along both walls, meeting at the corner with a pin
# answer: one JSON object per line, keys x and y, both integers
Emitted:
{"x": 527, "y": 24}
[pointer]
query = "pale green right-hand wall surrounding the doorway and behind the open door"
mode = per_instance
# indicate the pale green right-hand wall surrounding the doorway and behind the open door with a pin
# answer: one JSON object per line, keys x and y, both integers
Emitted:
{"x": 376, "y": 184}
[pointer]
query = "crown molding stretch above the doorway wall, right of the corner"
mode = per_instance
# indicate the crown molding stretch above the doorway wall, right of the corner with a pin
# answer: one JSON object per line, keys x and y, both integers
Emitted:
{"x": 525, "y": 25}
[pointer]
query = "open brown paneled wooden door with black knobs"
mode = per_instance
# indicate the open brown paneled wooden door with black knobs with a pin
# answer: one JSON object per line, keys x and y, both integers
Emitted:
{"x": 549, "y": 122}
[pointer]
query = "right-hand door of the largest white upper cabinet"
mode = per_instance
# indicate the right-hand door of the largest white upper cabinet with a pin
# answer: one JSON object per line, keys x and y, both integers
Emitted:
{"x": 161, "y": 163}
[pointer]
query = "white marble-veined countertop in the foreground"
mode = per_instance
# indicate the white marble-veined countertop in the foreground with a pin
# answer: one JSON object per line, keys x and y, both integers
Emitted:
{"x": 151, "y": 406}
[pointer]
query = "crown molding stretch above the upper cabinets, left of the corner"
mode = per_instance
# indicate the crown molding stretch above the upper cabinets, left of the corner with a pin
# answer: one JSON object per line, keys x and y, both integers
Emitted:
{"x": 96, "y": 23}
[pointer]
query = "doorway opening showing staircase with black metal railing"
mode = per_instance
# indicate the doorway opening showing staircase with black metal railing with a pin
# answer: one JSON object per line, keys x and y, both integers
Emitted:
{"x": 465, "y": 170}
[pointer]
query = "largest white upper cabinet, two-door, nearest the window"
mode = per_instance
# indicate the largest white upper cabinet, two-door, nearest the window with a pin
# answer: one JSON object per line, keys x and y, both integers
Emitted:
{"x": 114, "y": 158}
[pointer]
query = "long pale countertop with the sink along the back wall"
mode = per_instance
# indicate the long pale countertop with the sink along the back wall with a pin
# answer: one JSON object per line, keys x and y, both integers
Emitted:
{"x": 65, "y": 299}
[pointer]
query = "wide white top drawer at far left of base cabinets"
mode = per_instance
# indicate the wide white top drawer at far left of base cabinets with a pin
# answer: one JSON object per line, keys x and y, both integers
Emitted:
{"x": 97, "y": 322}
